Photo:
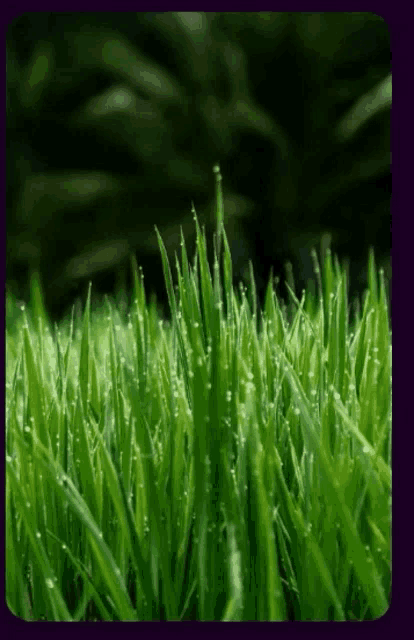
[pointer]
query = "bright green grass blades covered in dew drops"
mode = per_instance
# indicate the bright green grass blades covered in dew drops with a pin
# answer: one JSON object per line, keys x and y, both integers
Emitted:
{"x": 229, "y": 465}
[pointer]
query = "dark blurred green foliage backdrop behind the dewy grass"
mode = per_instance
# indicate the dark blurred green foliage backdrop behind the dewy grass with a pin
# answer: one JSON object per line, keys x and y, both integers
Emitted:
{"x": 115, "y": 120}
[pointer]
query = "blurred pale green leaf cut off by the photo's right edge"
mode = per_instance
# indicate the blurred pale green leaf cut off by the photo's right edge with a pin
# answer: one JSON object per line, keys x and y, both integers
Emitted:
{"x": 368, "y": 105}
